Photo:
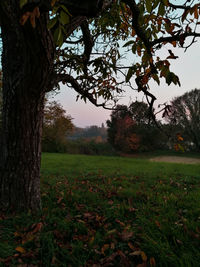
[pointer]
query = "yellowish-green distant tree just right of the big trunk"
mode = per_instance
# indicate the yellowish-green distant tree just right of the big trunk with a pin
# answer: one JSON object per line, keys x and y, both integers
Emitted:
{"x": 56, "y": 126}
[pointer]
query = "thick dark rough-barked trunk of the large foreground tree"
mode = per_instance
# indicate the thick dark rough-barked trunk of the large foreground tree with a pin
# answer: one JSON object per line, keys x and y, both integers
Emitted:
{"x": 27, "y": 63}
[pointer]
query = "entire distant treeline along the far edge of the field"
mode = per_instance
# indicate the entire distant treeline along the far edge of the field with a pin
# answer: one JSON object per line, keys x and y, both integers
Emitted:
{"x": 130, "y": 129}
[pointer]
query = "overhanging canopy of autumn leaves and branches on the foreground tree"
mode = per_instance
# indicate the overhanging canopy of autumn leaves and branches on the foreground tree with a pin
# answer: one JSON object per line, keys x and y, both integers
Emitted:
{"x": 120, "y": 45}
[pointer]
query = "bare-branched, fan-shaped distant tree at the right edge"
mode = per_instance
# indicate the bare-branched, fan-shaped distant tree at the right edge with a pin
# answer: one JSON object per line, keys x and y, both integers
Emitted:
{"x": 184, "y": 114}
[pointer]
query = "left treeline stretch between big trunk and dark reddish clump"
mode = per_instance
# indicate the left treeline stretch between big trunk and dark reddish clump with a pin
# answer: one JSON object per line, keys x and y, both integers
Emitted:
{"x": 60, "y": 134}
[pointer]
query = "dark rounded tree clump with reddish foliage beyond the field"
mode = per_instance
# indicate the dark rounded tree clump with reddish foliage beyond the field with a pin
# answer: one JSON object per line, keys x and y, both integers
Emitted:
{"x": 130, "y": 129}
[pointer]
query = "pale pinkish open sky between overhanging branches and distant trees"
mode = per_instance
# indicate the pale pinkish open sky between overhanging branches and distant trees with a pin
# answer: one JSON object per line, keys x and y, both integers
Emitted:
{"x": 186, "y": 67}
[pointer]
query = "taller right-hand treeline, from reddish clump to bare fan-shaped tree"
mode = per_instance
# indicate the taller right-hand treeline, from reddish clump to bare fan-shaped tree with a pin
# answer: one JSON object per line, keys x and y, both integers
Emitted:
{"x": 133, "y": 129}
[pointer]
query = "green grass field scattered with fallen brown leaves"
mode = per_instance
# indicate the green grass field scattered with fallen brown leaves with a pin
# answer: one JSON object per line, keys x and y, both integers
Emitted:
{"x": 108, "y": 211}
